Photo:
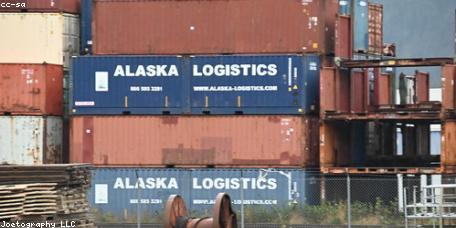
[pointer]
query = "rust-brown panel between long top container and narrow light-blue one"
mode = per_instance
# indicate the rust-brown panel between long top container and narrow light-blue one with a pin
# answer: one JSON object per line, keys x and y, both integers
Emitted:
{"x": 343, "y": 37}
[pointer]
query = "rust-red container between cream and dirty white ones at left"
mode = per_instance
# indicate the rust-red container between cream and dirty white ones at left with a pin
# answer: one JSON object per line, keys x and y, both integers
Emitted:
{"x": 32, "y": 89}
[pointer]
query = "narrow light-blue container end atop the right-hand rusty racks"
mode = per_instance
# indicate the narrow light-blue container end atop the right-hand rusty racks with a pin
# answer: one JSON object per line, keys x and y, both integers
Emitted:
{"x": 360, "y": 26}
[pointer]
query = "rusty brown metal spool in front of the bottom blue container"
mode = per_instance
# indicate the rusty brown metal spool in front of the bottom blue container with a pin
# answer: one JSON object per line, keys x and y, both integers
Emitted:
{"x": 223, "y": 216}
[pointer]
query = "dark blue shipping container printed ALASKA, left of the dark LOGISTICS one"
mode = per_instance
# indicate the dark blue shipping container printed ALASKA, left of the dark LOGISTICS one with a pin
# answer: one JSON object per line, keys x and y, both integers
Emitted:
{"x": 121, "y": 84}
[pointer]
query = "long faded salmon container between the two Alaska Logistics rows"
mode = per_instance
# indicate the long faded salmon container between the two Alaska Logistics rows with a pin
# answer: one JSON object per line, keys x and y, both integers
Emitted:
{"x": 277, "y": 141}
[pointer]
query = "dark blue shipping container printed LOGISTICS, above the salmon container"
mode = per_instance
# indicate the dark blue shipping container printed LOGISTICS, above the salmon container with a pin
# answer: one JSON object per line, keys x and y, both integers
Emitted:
{"x": 281, "y": 84}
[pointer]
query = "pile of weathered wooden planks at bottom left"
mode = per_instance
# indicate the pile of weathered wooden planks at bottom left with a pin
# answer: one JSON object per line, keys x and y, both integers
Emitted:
{"x": 52, "y": 193}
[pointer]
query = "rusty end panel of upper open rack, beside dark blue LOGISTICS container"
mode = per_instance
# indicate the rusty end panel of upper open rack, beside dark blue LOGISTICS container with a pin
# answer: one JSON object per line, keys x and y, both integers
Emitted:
{"x": 327, "y": 89}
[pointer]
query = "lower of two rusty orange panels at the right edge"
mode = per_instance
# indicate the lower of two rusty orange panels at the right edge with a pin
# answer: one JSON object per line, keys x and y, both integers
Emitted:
{"x": 448, "y": 155}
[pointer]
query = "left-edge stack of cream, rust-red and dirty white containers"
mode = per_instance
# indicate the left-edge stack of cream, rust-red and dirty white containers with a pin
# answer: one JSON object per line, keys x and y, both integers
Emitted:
{"x": 39, "y": 38}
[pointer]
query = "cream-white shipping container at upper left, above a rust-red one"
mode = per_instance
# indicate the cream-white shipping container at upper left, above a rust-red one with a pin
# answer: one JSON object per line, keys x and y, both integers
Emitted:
{"x": 39, "y": 37}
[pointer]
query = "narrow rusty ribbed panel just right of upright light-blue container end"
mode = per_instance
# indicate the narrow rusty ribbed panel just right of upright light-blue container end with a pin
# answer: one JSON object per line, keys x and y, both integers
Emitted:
{"x": 375, "y": 31}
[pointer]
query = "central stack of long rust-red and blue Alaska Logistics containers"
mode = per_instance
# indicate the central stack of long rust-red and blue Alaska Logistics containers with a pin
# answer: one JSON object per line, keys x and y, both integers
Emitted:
{"x": 203, "y": 84}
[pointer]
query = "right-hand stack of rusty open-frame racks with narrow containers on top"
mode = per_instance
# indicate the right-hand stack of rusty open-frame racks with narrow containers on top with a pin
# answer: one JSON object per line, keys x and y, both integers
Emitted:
{"x": 373, "y": 115}
